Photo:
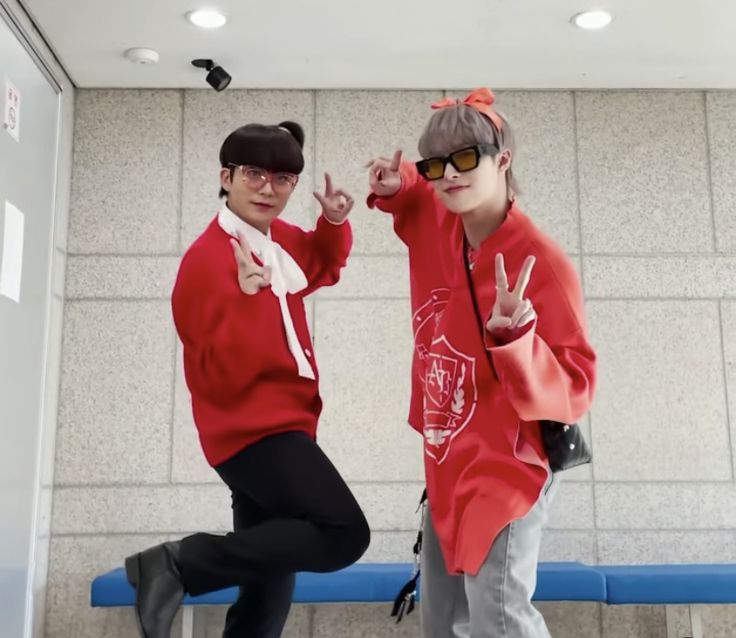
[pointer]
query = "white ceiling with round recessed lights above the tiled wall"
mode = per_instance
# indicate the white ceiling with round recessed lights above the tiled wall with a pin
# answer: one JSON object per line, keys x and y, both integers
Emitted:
{"x": 385, "y": 44}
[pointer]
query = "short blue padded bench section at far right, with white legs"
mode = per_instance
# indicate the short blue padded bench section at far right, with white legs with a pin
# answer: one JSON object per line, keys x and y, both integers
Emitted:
{"x": 691, "y": 585}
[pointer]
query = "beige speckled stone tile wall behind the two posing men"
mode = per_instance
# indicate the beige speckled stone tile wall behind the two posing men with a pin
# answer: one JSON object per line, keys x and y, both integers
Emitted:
{"x": 639, "y": 187}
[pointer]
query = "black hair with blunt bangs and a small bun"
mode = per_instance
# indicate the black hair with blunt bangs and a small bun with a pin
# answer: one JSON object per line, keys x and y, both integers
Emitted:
{"x": 275, "y": 148}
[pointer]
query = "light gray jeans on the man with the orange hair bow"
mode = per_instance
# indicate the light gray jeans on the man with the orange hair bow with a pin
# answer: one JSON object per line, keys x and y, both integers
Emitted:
{"x": 496, "y": 603}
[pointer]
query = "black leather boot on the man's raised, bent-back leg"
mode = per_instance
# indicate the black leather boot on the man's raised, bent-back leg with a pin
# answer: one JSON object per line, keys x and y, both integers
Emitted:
{"x": 155, "y": 576}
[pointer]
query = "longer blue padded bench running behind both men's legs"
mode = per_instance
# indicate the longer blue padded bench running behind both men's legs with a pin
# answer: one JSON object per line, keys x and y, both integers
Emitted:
{"x": 361, "y": 583}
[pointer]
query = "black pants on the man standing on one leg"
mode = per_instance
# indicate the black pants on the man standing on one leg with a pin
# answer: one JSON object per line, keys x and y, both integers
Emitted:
{"x": 292, "y": 512}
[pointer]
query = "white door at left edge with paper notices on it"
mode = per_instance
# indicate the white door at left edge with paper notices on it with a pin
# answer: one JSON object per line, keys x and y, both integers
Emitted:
{"x": 28, "y": 160}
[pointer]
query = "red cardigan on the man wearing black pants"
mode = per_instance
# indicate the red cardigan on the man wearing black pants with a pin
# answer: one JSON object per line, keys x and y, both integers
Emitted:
{"x": 241, "y": 374}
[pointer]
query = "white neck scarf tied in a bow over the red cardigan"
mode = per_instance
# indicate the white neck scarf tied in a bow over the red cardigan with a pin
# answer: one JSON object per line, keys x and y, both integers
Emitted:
{"x": 286, "y": 277}
